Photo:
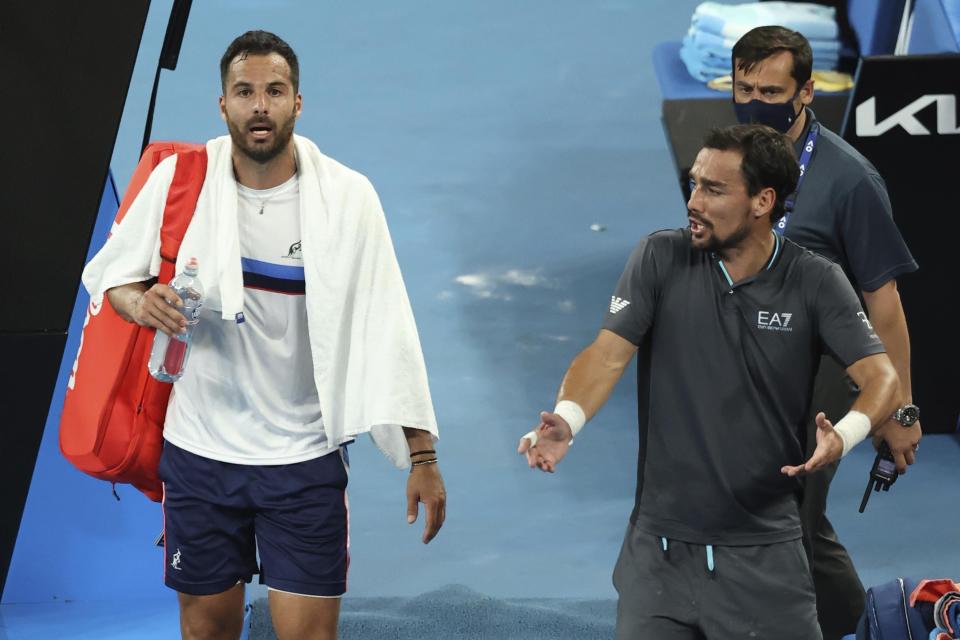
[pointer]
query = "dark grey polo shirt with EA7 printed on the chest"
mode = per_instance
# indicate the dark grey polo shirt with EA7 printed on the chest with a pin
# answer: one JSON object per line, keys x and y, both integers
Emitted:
{"x": 726, "y": 374}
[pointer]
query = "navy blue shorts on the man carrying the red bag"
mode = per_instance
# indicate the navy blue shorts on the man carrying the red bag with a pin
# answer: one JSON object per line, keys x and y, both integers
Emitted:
{"x": 217, "y": 515}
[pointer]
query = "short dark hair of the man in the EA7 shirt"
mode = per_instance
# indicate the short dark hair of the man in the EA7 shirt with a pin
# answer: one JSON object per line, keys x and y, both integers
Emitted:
{"x": 768, "y": 160}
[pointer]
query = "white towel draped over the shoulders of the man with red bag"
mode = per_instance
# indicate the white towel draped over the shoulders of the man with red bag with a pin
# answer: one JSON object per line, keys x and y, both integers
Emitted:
{"x": 368, "y": 365}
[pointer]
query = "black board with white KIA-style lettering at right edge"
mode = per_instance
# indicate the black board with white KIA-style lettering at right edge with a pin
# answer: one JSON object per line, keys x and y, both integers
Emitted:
{"x": 903, "y": 116}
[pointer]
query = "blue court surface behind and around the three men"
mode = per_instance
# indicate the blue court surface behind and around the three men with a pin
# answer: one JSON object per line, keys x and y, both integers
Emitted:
{"x": 518, "y": 152}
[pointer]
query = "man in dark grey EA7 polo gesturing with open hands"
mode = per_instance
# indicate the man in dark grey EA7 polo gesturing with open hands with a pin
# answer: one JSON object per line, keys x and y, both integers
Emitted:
{"x": 731, "y": 321}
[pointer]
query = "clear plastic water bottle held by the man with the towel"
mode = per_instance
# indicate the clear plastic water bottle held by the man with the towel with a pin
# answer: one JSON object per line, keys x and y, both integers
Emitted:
{"x": 169, "y": 354}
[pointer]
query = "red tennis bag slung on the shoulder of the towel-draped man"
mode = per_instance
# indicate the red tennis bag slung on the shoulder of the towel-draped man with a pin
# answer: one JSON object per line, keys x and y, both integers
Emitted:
{"x": 113, "y": 412}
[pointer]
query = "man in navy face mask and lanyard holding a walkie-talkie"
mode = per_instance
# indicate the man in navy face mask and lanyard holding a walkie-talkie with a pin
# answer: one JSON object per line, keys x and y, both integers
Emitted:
{"x": 841, "y": 211}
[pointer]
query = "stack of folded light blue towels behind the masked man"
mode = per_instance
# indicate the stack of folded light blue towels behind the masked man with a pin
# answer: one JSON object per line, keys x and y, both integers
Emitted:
{"x": 715, "y": 28}
